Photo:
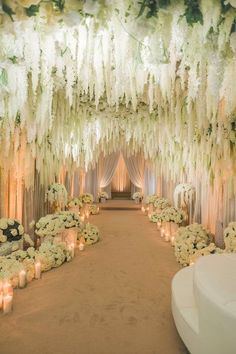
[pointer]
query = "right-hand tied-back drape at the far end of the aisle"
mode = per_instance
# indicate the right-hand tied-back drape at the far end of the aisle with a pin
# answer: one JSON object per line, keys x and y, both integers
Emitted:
{"x": 135, "y": 167}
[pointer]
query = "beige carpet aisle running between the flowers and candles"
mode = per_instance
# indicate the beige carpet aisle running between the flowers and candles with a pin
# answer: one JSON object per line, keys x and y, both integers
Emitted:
{"x": 113, "y": 298}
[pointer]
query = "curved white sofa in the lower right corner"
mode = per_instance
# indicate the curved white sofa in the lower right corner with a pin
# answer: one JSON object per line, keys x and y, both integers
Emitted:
{"x": 204, "y": 305}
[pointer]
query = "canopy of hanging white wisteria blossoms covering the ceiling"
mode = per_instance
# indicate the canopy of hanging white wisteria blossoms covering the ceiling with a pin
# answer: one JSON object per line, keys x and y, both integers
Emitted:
{"x": 78, "y": 78}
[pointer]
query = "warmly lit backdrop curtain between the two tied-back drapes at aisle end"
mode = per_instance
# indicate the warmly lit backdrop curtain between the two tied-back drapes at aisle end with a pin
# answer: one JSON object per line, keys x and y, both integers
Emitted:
{"x": 121, "y": 181}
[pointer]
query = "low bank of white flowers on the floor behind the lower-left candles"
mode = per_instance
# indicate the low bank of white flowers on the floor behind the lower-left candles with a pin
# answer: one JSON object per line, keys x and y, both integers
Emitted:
{"x": 49, "y": 255}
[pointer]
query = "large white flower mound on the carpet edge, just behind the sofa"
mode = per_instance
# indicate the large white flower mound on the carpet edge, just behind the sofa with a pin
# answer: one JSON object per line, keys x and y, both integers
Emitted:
{"x": 189, "y": 240}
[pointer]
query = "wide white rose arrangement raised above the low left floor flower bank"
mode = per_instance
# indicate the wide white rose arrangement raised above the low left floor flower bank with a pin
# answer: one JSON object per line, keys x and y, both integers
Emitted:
{"x": 53, "y": 224}
